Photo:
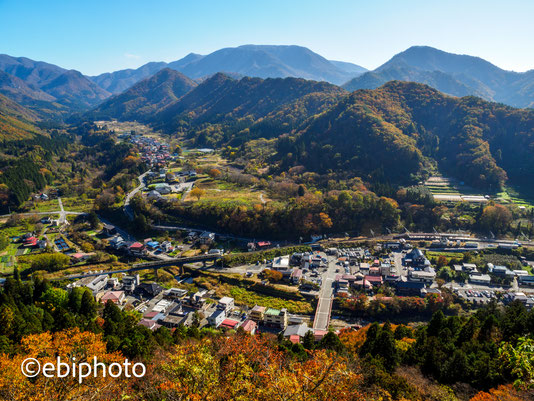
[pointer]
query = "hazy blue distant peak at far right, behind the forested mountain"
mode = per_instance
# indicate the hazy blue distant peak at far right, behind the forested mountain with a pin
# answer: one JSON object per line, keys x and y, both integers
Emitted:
{"x": 454, "y": 74}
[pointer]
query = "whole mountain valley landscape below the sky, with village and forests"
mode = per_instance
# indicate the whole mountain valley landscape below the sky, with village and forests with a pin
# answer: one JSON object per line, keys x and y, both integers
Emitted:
{"x": 260, "y": 214}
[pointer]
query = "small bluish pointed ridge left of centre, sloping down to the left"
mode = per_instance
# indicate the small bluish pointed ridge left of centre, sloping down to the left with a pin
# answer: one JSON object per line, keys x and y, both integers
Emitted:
{"x": 146, "y": 97}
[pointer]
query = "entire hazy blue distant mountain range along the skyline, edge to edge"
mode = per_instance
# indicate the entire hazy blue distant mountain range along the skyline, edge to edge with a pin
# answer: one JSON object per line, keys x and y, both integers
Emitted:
{"x": 52, "y": 92}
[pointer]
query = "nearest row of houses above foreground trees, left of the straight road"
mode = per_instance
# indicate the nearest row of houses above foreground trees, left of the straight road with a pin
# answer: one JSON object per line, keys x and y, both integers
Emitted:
{"x": 173, "y": 307}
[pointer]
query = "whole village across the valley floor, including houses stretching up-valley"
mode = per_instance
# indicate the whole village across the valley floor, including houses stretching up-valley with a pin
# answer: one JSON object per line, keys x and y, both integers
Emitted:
{"x": 148, "y": 275}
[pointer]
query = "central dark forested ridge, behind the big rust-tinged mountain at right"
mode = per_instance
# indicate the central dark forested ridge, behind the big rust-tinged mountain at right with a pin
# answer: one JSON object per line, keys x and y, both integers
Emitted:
{"x": 226, "y": 106}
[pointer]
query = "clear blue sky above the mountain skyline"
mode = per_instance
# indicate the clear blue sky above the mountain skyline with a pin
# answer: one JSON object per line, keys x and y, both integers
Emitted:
{"x": 96, "y": 36}
